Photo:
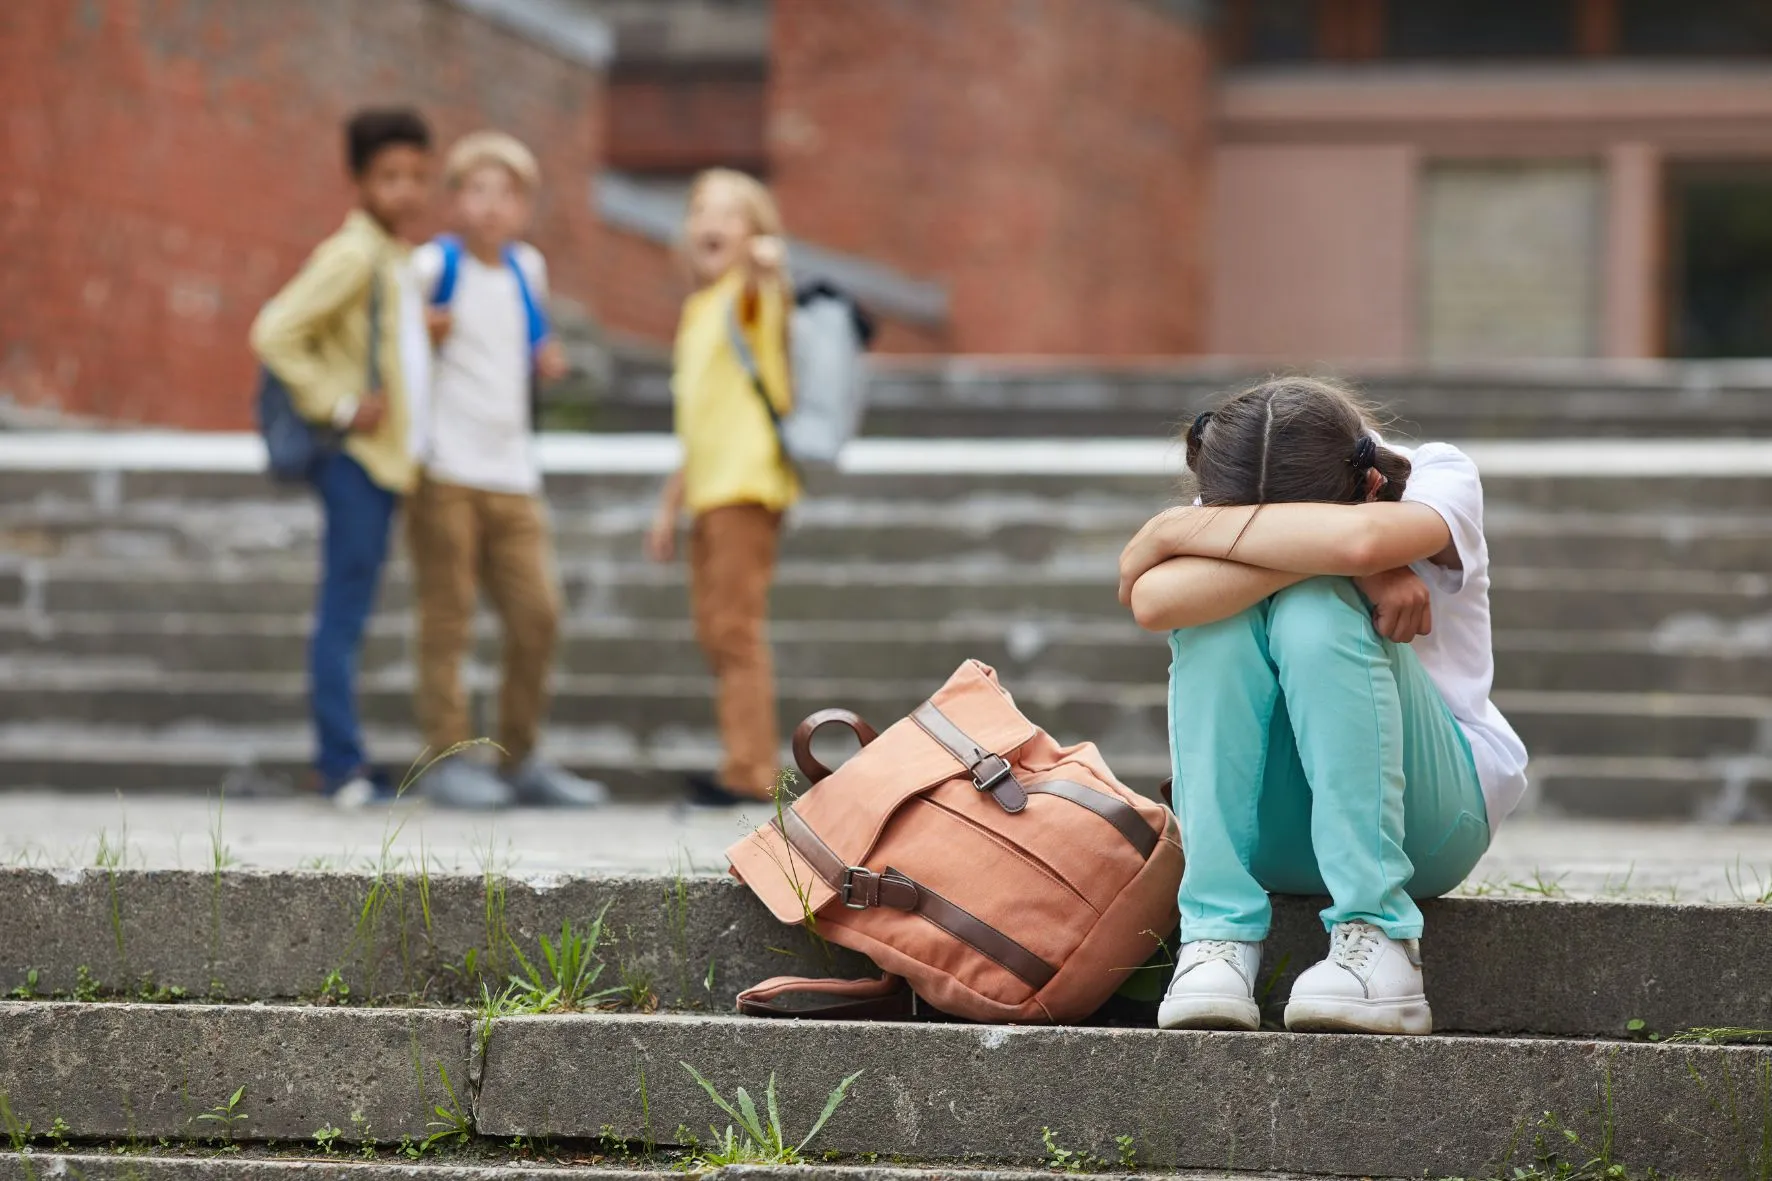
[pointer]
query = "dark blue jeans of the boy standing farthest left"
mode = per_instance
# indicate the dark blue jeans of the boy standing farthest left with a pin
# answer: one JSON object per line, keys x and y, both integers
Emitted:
{"x": 359, "y": 517}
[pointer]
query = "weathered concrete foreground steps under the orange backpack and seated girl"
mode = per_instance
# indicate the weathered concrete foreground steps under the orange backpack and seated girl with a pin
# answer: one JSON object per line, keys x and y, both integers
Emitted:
{"x": 343, "y": 1001}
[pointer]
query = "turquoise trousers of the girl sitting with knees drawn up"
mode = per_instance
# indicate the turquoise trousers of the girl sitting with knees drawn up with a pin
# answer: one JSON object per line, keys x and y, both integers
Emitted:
{"x": 1316, "y": 758}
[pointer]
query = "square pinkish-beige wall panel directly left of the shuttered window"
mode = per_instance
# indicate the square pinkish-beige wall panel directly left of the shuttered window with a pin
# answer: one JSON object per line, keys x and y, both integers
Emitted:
{"x": 1312, "y": 254}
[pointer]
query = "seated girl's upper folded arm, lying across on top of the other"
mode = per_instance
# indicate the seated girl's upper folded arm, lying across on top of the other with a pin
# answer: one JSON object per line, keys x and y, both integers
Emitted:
{"x": 1351, "y": 540}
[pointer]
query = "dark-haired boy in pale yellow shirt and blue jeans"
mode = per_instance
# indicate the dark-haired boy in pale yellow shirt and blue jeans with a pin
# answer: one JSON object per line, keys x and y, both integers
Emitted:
{"x": 316, "y": 338}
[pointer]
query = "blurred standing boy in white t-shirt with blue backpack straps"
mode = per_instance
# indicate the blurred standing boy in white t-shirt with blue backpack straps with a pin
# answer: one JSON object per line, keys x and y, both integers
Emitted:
{"x": 478, "y": 519}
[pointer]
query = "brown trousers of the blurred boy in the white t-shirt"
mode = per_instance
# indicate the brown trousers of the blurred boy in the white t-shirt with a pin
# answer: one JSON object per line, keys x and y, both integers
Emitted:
{"x": 465, "y": 540}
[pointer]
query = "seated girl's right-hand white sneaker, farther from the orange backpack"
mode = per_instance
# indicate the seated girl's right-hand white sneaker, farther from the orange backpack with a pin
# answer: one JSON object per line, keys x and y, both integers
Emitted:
{"x": 1369, "y": 985}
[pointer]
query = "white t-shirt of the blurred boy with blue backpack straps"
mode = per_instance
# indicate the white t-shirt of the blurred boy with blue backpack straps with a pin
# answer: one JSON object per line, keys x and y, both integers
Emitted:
{"x": 481, "y": 384}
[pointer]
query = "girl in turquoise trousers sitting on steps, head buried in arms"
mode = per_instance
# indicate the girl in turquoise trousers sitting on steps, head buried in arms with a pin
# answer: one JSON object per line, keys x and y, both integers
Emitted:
{"x": 1330, "y": 721}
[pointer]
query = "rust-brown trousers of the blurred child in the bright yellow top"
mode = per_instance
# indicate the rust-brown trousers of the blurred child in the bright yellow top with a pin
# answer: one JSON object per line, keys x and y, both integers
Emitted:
{"x": 733, "y": 554}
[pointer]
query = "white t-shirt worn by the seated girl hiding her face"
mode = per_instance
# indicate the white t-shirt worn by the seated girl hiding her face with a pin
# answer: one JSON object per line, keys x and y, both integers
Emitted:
{"x": 1457, "y": 653}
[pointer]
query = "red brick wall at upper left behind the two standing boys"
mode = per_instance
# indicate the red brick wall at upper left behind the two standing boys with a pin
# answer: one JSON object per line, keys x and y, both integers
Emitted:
{"x": 166, "y": 166}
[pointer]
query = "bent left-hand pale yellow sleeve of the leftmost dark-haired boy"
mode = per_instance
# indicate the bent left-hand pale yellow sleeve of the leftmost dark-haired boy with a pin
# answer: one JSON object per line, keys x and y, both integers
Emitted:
{"x": 332, "y": 281}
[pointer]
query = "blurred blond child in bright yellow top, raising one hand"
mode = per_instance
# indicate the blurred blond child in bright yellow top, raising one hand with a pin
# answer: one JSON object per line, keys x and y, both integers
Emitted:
{"x": 734, "y": 480}
